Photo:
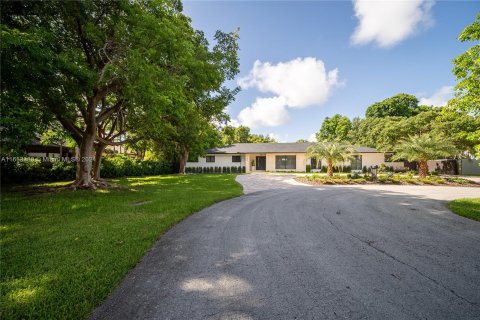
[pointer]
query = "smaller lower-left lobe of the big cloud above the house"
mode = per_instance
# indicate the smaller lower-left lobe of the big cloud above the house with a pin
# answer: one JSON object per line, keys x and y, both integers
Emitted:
{"x": 264, "y": 112}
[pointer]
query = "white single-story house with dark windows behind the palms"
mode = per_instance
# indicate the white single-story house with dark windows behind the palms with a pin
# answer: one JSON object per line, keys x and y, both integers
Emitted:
{"x": 282, "y": 157}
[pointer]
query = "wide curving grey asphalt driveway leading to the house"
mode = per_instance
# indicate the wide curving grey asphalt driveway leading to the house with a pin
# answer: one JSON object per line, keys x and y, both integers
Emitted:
{"x": 289, "y": 251}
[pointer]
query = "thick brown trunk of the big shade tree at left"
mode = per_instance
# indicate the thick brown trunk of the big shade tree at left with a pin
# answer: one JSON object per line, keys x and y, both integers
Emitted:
{"x": 85, "y": 161}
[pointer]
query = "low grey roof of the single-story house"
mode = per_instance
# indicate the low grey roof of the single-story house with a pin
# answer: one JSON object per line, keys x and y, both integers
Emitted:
{"x": 273, "y": 148}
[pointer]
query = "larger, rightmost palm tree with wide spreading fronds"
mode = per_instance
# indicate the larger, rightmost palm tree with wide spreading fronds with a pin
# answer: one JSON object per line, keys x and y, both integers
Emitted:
{"x": 424, "y": 147}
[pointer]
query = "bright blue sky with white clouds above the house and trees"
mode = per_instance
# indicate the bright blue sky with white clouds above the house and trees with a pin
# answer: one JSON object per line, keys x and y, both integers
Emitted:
{"x": 319, "y": 58}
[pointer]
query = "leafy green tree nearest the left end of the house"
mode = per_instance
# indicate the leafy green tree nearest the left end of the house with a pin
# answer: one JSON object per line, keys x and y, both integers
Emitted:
{"x": 200, "y": 102}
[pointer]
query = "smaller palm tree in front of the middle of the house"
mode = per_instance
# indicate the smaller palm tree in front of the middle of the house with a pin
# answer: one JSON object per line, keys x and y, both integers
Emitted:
{"x": 333, "y": 152}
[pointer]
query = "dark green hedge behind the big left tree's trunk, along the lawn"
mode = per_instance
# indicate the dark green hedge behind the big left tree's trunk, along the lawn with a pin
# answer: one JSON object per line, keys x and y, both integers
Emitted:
{"x": 35, "y": 170}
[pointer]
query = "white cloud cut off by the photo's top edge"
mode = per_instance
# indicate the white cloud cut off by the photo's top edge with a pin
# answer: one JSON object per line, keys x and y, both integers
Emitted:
{"x": 389, "y": 22}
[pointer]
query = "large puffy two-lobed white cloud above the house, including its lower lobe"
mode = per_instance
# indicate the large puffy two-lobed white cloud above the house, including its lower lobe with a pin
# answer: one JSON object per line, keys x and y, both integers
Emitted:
{"x": 296, "y": 83}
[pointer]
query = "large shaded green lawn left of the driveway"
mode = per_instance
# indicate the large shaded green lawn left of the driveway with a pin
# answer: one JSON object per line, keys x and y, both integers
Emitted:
{"x": 63, "y": 253}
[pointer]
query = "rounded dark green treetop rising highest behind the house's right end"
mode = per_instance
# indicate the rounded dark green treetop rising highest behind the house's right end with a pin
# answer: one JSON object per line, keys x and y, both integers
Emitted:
{"x": 400, "y": 105}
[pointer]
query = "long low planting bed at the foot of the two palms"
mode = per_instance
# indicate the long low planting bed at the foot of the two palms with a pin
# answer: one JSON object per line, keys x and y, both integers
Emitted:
{"x": 399, "y": 179}
